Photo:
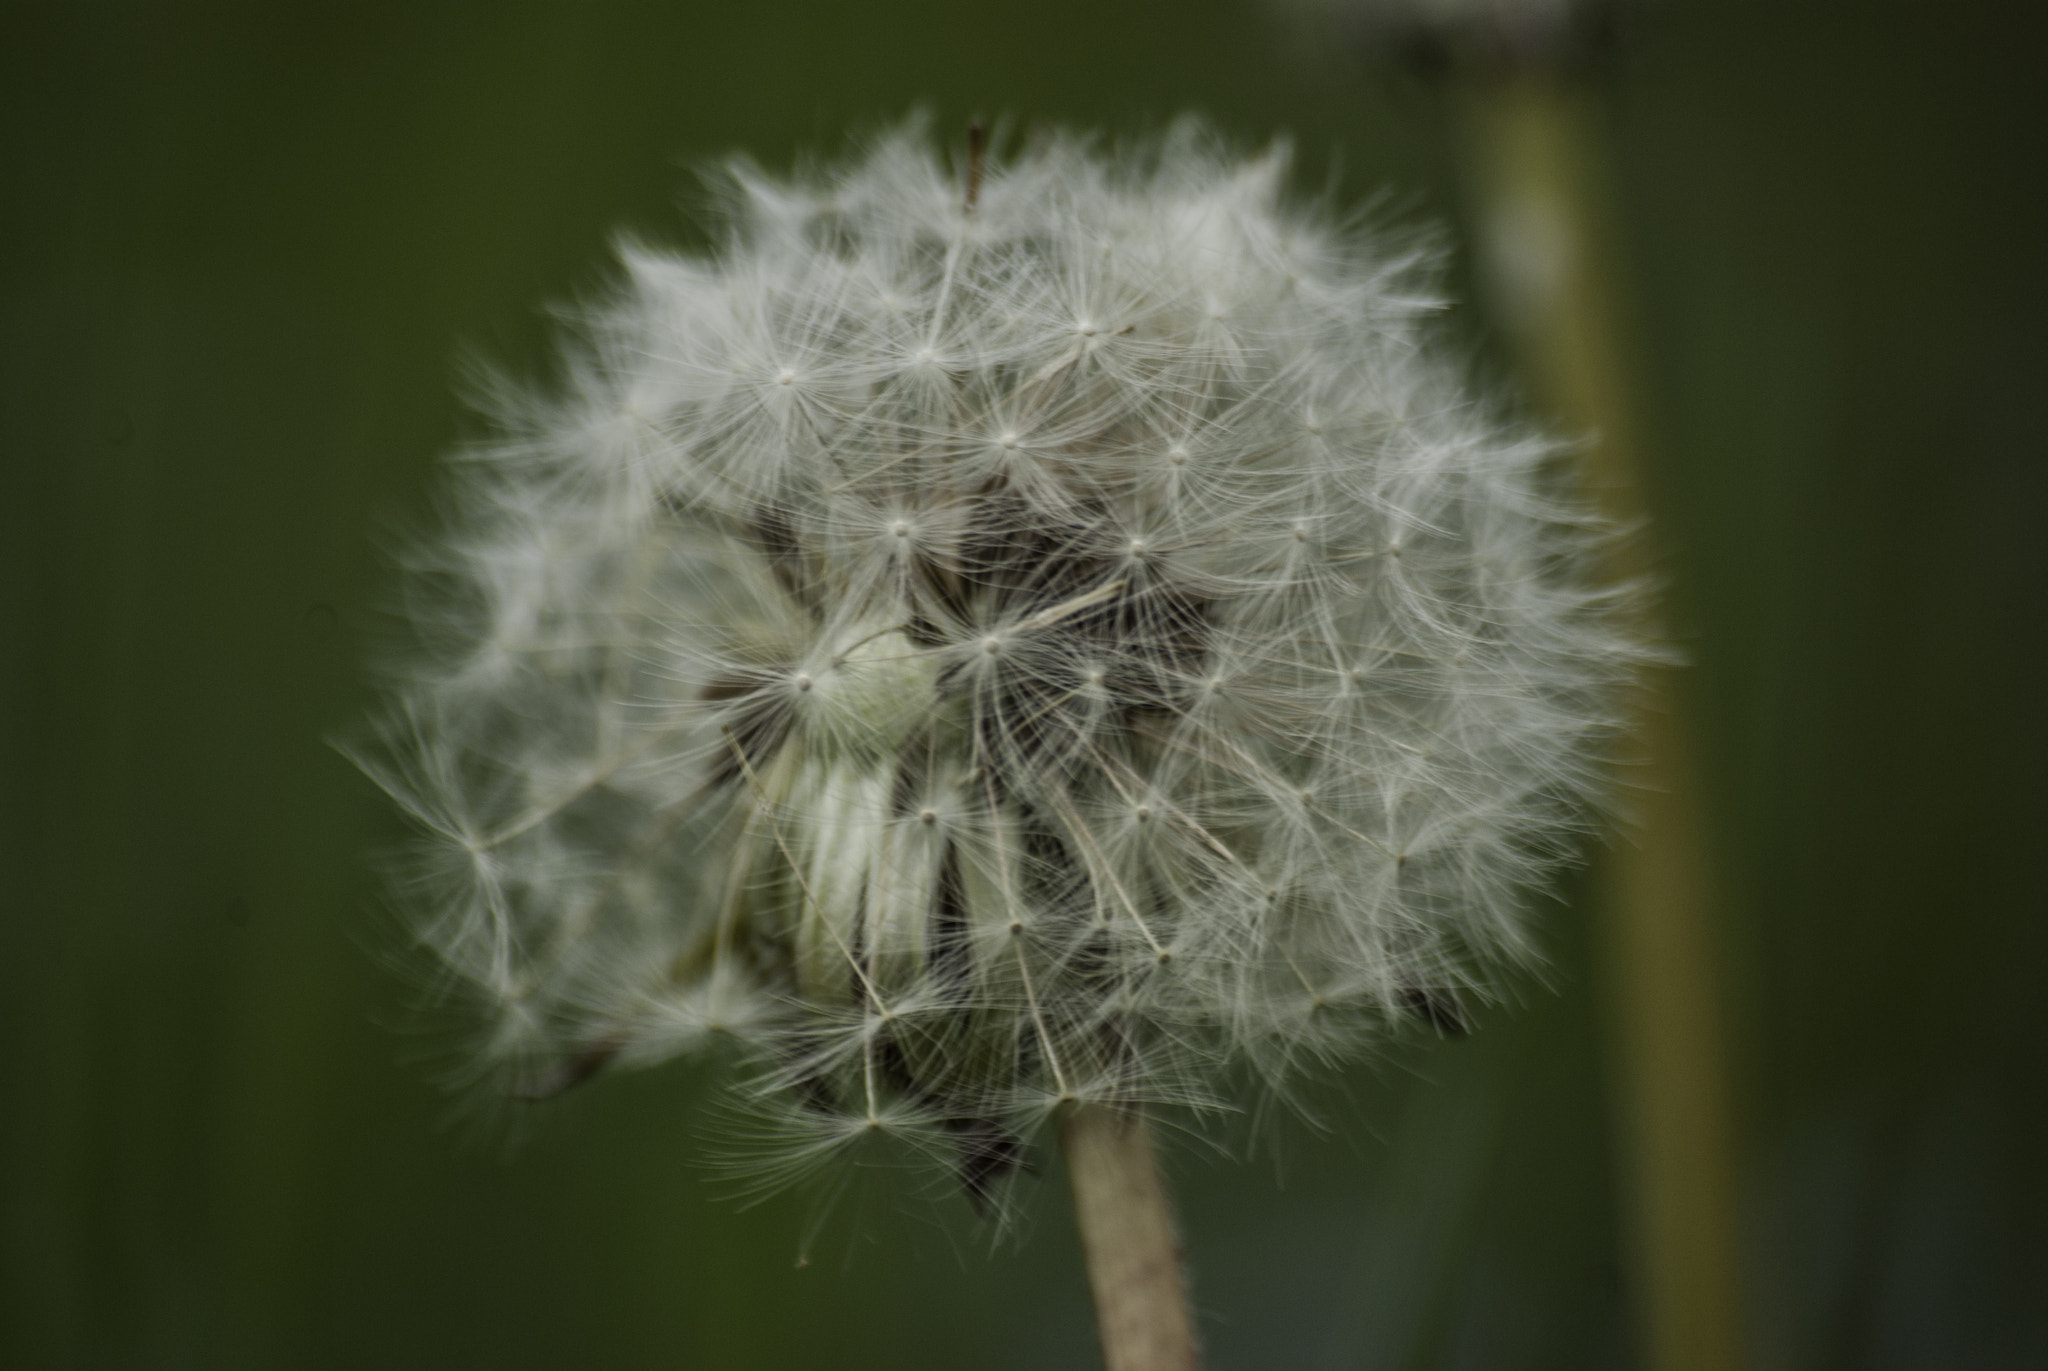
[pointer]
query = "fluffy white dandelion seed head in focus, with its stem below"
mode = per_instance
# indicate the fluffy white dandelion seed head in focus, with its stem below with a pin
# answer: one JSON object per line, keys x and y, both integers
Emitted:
{"x": 1005, "y": 647}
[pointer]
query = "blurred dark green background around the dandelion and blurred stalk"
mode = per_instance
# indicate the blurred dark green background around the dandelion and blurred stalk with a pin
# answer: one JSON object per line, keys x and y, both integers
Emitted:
{"x": 247, "y": 247}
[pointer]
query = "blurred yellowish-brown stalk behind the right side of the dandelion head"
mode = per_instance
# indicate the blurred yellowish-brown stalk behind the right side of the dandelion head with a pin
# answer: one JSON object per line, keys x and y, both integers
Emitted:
{"x": 1543, "y": 210}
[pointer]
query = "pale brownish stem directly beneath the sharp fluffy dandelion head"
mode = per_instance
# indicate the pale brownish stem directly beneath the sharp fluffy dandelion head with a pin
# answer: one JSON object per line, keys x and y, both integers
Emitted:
{"x": 1129, "y": 1241}
